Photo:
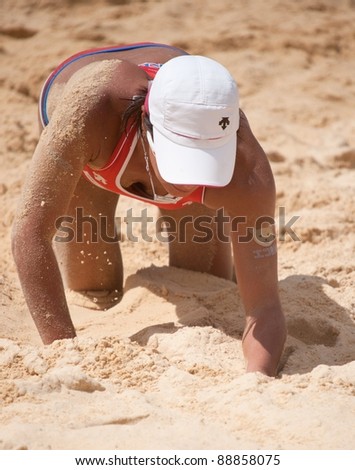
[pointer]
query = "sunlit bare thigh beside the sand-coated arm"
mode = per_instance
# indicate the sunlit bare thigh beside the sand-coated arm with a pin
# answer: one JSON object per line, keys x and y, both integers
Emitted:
{"x": 87, "y": 249}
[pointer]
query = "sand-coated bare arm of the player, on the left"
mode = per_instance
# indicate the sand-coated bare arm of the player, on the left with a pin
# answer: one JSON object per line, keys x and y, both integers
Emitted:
{"x": 56, "y": 167}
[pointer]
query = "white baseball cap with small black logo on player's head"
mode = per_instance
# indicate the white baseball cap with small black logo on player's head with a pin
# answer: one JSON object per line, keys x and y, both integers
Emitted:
{"x": 194, "y": 109}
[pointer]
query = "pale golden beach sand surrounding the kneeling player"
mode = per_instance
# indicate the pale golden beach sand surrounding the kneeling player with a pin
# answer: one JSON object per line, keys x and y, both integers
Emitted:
{"x": 164, "y": 368}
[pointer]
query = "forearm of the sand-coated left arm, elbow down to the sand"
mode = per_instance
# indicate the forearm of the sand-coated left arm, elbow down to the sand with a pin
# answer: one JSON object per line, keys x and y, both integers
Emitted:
{"x": 43, "y": 289}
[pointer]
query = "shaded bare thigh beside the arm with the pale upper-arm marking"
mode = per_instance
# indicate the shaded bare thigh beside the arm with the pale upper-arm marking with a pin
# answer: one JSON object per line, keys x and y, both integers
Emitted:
{"x": 198, "y": 241}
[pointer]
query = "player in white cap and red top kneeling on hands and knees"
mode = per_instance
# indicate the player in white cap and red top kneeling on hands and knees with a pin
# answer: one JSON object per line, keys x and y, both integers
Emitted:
{"x": 151, "y": 122}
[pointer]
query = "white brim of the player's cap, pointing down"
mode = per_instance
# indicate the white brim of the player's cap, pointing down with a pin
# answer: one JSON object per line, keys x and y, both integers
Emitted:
{"x": 178, "y": 164}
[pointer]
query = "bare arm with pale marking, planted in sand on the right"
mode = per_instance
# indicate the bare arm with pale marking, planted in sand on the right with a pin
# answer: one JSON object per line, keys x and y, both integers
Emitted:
{"x": 250, "y": 201}
